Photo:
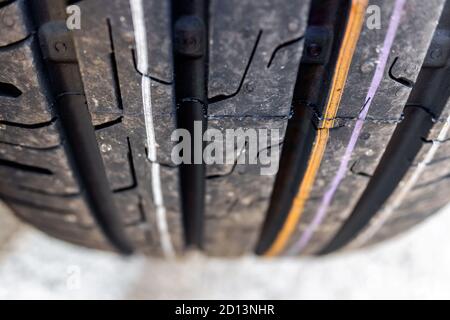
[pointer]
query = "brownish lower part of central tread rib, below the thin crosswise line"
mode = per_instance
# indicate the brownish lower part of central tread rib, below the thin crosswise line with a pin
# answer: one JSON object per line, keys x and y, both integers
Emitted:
{"x": 237, "y": 195}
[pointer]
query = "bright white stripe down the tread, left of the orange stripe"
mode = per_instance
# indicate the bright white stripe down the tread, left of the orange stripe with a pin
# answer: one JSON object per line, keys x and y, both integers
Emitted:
{"x": 137, "y": 12}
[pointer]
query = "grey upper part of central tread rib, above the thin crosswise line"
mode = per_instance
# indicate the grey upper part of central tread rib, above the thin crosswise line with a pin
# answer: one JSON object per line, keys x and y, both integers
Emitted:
{"x": 266, "y": 90}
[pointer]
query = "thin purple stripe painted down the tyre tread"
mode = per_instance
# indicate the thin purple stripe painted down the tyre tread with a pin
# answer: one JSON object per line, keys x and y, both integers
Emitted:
{"x": 343, "y": 167}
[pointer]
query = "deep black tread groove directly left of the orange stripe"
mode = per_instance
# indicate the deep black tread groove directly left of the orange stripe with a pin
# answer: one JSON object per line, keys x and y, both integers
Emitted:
{"x": 304, "y": 125}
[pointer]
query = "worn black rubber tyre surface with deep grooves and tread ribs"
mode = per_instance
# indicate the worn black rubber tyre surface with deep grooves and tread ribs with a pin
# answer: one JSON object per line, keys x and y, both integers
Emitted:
{"x": 74, "y": 139}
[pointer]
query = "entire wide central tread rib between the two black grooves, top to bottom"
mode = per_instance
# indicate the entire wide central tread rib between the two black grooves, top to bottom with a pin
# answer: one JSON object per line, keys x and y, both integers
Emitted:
{"x": 251, "y": 85}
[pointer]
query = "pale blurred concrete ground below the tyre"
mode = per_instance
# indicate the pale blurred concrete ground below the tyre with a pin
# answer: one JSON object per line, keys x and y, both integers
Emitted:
{"x": 415, "y": 265}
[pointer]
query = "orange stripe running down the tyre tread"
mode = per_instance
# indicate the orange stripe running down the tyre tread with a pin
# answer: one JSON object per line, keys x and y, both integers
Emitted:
{"x": 351, "y": 36}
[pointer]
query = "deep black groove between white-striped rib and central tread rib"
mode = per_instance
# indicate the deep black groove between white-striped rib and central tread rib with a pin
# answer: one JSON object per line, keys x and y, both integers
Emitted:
{"x": 190, "y": 23}
